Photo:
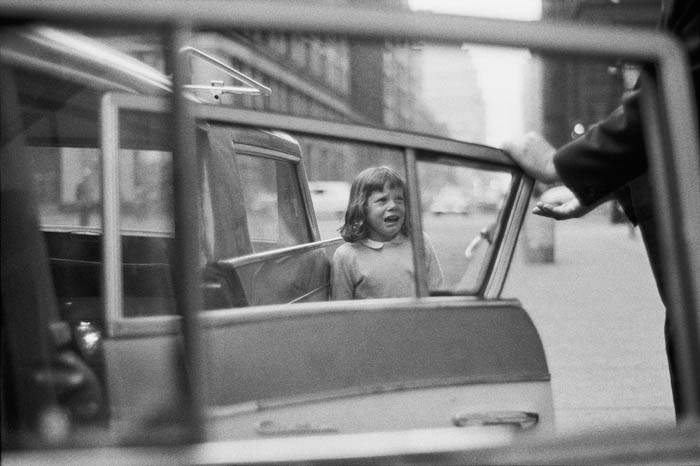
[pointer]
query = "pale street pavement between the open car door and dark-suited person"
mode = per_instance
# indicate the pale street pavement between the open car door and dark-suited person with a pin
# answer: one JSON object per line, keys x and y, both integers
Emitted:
{"x": 601, "y": 321}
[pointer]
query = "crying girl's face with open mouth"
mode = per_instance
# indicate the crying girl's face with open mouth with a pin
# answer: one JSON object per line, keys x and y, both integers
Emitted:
{"x": 386, "y": 211}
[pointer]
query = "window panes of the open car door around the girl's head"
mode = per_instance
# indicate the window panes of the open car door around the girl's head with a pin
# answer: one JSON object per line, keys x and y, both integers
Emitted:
{"x": 460, "y": 201}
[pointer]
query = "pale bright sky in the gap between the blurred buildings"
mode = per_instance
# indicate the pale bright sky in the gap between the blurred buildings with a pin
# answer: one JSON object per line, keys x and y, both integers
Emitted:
{"x": 496, "y": 67}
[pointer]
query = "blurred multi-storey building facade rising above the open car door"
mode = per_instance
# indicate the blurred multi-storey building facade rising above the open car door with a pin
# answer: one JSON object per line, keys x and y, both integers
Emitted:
{"x": 330, "y": 78}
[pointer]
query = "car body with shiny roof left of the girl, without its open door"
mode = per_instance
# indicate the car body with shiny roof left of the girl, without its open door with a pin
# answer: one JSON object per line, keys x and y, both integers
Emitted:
{"x": 256, "y": 218}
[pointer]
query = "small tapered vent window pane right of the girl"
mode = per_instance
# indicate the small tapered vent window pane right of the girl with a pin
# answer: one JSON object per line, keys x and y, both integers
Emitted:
{"x": 461, "y": 207}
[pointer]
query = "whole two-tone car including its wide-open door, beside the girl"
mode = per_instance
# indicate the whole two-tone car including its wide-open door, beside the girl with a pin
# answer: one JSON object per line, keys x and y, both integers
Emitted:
{"x": 116, "y": 289}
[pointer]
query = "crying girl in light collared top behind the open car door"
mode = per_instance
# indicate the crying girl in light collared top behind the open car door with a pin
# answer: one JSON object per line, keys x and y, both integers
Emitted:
{"x": 377, "y": 259}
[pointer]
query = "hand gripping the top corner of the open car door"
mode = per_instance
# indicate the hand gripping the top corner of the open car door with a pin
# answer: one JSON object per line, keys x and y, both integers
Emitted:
{"x": 535, "y": 156}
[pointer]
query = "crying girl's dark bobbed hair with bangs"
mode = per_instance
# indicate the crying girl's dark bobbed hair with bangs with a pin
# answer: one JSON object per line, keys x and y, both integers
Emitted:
{"x": 366, "y": 182}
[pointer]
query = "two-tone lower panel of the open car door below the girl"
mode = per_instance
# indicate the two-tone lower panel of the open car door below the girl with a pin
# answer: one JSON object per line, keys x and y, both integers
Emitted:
{"x": 333, "y": 364}
